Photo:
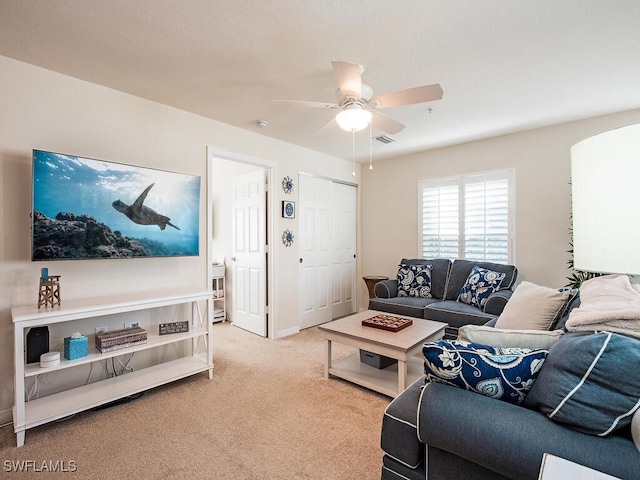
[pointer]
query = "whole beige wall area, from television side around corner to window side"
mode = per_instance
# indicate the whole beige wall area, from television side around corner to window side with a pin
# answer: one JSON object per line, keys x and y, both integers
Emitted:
{"x": 43, "y": 109}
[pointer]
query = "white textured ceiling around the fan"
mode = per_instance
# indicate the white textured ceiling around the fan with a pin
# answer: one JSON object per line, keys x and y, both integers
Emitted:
{"x": 504, "y": 65}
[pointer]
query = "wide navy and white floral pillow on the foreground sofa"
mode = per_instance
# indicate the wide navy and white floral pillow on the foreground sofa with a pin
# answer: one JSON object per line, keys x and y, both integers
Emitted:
{"x": 502, "y": 373}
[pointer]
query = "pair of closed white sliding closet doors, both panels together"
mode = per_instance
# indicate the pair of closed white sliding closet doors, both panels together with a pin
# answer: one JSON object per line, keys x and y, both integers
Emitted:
{"x": 327, "y": 250}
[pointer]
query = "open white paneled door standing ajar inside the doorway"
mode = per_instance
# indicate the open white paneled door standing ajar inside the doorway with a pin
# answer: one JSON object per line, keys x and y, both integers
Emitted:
{"x": 248, "y": 260}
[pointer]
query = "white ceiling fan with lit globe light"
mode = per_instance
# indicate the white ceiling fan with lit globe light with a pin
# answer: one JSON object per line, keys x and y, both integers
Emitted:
{"x": 358, "y": 105}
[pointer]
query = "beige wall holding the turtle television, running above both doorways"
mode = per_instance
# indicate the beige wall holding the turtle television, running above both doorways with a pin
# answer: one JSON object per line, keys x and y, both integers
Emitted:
{"x": 45, "y": 110}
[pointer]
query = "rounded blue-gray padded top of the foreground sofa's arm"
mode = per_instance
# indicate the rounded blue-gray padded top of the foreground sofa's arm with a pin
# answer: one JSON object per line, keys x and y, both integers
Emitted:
{"x": 511, "y": 440}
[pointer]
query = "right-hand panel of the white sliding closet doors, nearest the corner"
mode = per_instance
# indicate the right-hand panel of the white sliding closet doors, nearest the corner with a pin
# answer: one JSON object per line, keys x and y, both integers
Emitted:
{"x": 343, "y": 285}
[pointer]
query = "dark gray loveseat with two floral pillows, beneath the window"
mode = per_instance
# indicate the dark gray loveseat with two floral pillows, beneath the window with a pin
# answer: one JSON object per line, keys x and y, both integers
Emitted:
{"x": 447, "y": 279}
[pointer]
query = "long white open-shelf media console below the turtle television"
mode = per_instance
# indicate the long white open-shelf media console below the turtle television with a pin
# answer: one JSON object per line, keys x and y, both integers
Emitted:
{"x": 29, "y": 414}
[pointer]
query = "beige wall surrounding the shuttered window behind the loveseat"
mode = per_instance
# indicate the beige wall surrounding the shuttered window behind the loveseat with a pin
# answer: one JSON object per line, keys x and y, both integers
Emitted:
{"x": 541, "y": 159}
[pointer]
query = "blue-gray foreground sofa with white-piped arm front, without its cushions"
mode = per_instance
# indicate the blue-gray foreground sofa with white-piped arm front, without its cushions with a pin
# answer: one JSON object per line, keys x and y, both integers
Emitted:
{"x": 439, "y": 432}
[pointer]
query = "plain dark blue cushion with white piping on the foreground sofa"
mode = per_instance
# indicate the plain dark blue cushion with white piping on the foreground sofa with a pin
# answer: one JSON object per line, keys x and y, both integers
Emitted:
{"x": 589, "y": 382}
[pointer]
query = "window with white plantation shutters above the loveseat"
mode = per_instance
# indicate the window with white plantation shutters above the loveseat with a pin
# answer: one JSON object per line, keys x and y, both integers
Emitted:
{"x": 467, "y": 217}
